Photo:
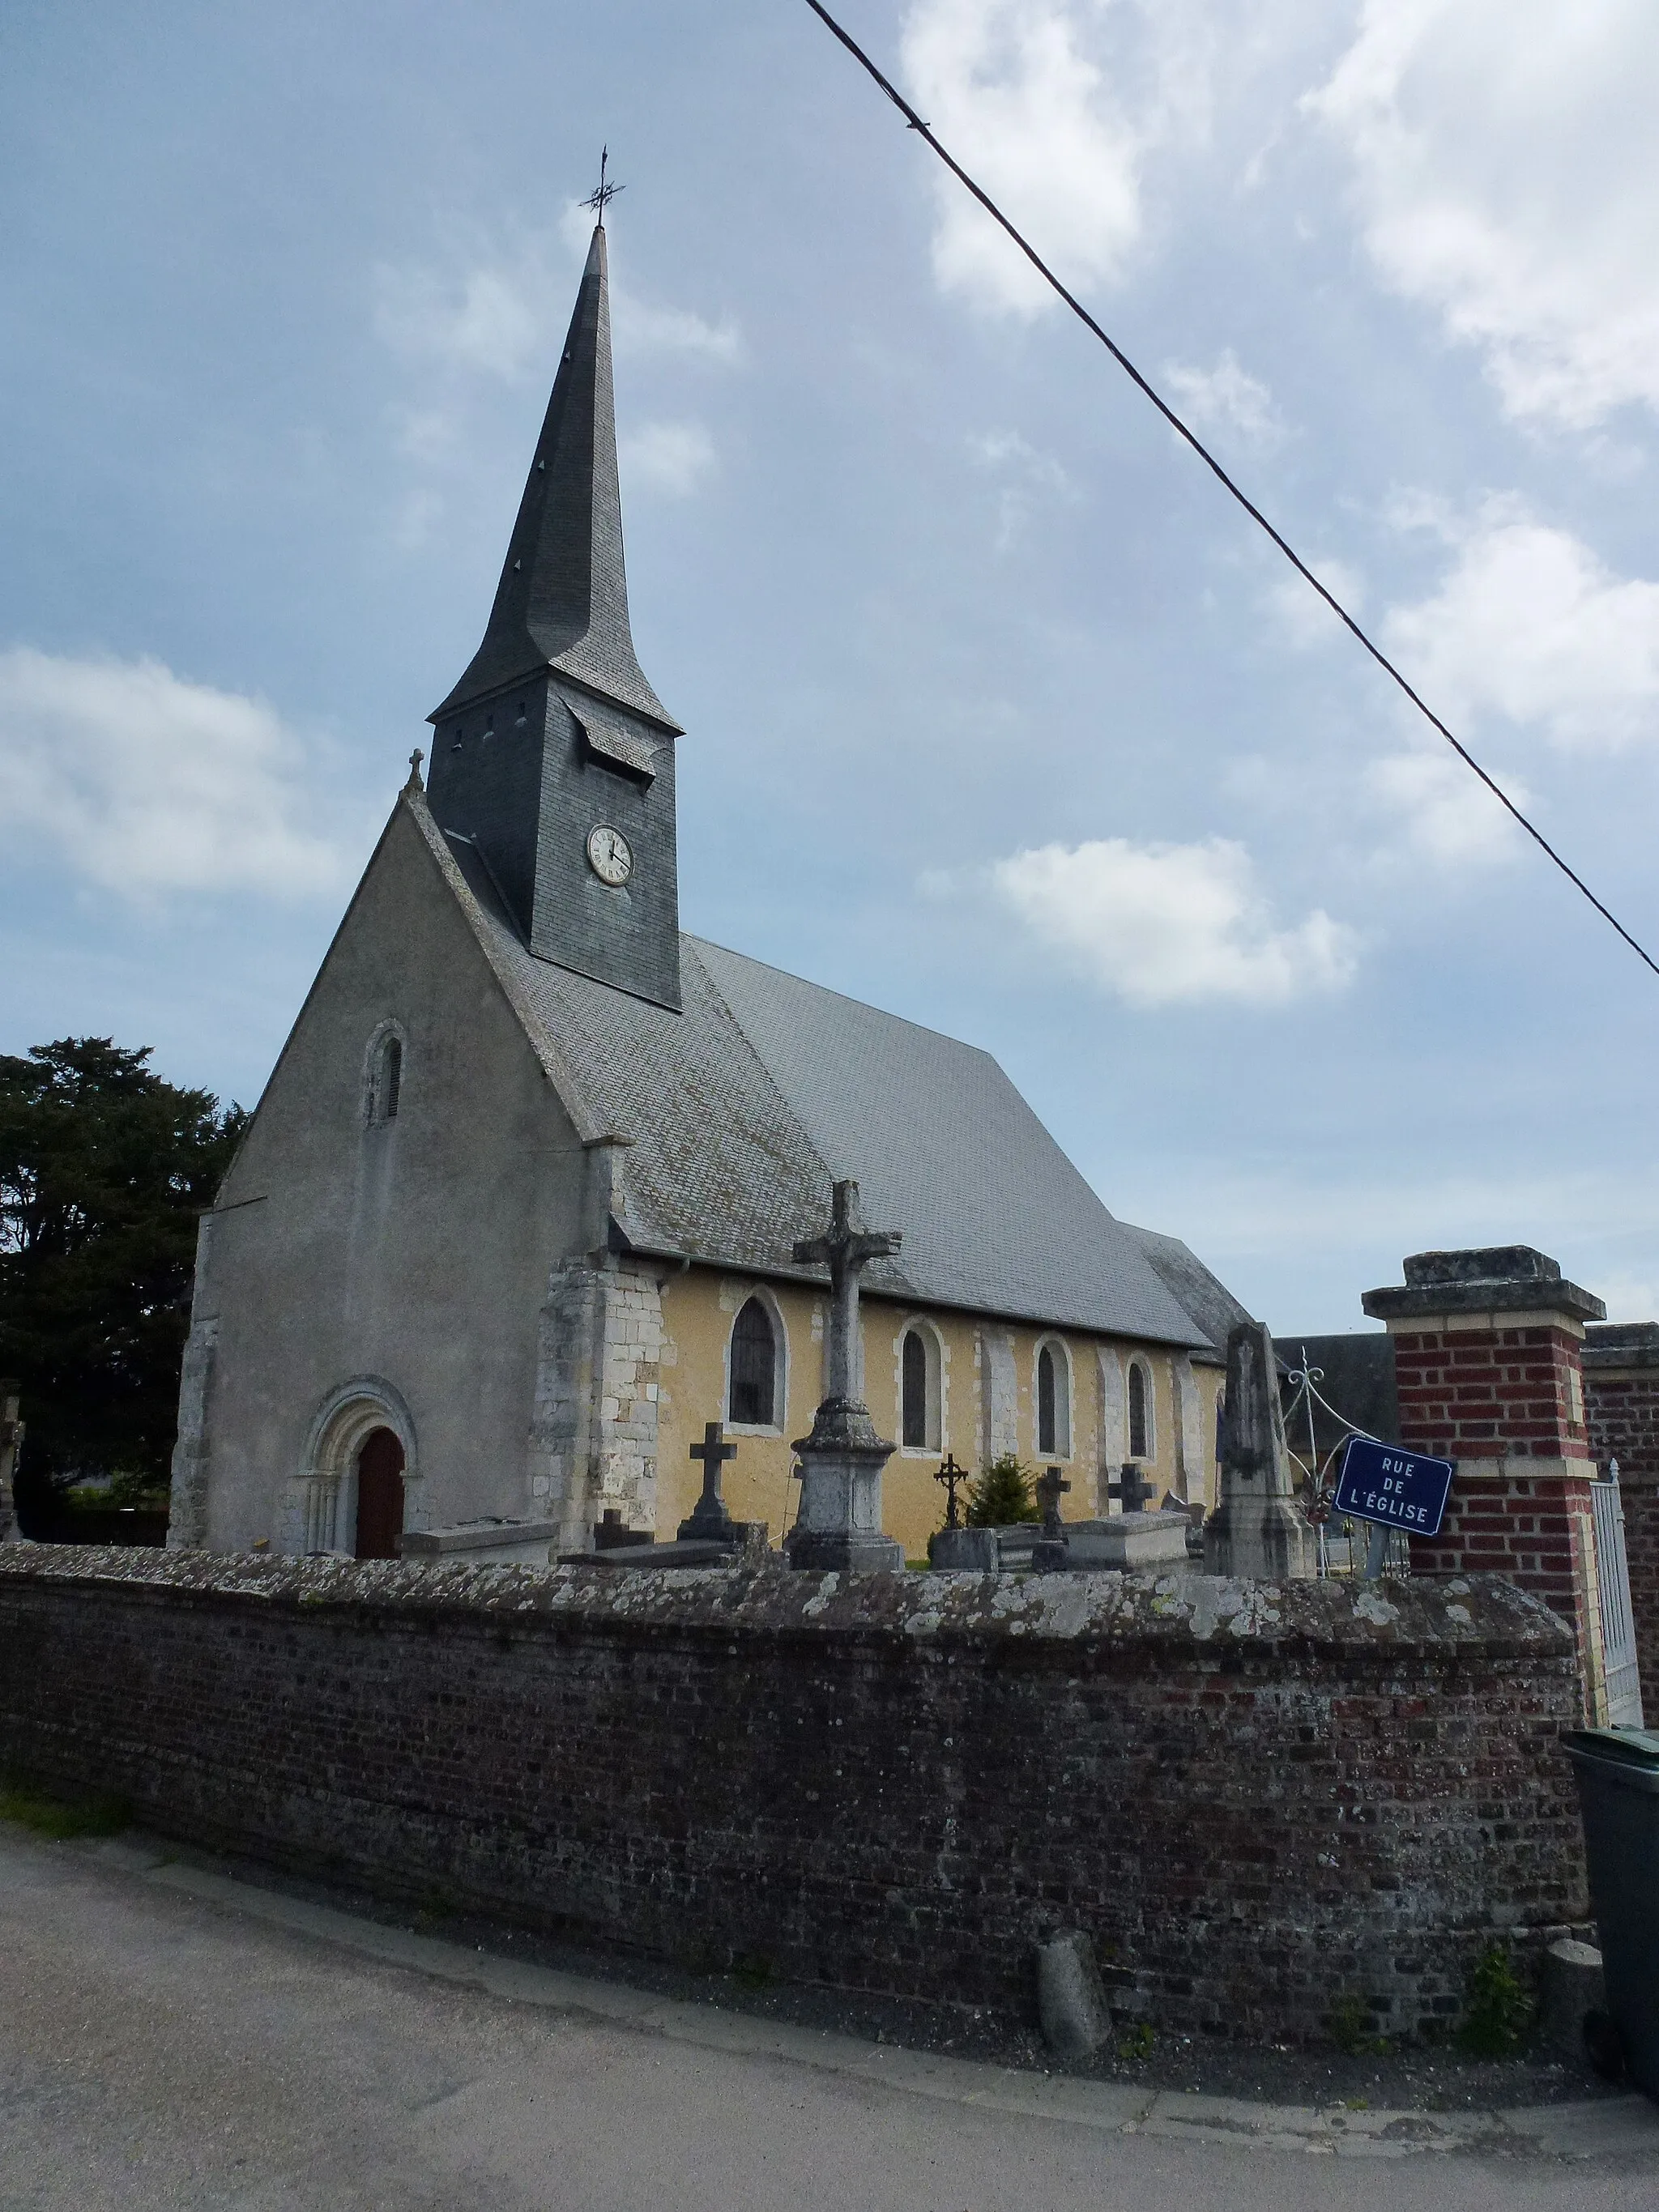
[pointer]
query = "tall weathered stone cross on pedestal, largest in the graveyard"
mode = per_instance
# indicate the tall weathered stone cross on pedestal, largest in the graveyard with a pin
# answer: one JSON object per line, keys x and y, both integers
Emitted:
{"x": 842, "y": 1461}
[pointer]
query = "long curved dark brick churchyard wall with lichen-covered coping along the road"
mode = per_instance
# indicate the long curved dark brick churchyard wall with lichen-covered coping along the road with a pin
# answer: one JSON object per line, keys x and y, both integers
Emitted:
{"x": 1255, "y": 1802}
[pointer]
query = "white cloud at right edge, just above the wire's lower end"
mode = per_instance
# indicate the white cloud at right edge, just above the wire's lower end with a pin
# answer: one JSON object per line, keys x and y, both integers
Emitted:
{"x": 1530, "y": 625}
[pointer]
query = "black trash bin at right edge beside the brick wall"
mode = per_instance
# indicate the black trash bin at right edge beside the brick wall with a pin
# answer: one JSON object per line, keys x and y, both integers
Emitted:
{"x": 1618, "y": 1773}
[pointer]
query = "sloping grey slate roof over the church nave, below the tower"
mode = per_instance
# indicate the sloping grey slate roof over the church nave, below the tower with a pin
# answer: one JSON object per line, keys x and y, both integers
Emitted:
{"x": 744, "y": 1109}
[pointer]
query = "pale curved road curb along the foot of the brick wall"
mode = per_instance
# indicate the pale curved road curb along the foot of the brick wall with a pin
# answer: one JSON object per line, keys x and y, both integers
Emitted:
{"x": 1609, "y": 2127}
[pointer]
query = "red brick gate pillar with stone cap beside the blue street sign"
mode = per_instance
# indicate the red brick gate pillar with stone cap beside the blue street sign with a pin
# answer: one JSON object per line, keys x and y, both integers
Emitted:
{"x": 1488, "y": 1359}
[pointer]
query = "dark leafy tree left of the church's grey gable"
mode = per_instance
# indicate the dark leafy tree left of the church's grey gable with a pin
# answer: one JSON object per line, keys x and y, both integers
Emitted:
{"x": 103, "y": 1173}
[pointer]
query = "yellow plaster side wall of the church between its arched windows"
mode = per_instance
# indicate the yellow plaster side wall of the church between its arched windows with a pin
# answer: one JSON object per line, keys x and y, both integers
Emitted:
{"x": 700, "y": 1311}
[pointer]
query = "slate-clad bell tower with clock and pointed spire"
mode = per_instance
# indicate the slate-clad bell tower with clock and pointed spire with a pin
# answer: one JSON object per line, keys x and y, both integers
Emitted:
{"x": 554, "y": 755}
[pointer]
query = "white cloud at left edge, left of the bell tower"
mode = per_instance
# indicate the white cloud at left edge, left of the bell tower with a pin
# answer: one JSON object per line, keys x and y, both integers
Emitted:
{"x": 149, "y": 784}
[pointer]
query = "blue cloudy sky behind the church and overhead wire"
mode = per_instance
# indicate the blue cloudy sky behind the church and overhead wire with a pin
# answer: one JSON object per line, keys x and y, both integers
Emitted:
{"x": 999, "y": 713}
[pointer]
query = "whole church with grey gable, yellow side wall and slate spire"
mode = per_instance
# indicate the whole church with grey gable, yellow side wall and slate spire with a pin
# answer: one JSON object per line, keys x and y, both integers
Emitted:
{"x": 517, "y": 1213}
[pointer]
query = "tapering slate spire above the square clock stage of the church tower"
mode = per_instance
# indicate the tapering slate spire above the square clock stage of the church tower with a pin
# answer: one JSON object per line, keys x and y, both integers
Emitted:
{"x": 563, "y": 601}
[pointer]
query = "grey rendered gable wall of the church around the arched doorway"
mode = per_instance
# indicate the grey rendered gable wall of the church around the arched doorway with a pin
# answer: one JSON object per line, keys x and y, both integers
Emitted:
{"x": 417, "y": 1253}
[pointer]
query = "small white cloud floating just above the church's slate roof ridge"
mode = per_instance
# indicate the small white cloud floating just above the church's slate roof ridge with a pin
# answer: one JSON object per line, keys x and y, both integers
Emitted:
{"x": 1171, "y": 924}
